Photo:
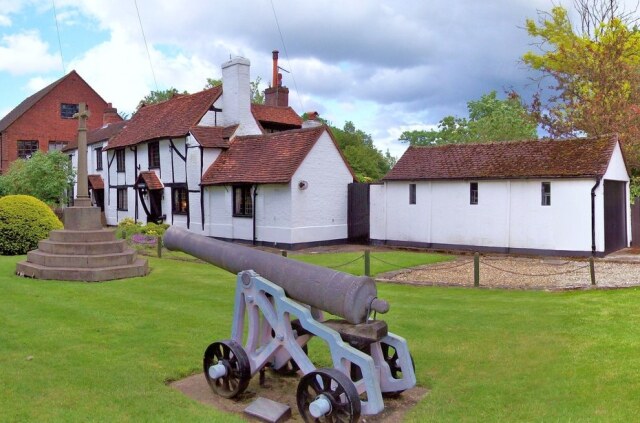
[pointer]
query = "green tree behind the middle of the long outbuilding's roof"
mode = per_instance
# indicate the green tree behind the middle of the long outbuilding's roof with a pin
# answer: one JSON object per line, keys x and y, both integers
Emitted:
{"x": 490, "y": 119}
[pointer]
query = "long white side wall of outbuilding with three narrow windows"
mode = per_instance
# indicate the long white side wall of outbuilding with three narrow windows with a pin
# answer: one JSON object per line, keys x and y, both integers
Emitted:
{"x": 509, "y": 214}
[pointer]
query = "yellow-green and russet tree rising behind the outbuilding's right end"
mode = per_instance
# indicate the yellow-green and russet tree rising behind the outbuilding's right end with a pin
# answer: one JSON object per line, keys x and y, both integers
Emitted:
{"x": 594, "y": 71}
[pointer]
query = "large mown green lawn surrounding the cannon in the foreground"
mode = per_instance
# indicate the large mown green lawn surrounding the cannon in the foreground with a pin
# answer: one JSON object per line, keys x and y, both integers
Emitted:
{"x": 102, "y": 352}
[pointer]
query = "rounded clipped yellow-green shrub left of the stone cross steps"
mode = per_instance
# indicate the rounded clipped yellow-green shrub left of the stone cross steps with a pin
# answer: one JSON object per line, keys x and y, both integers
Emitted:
{"x": 24, "y": 220}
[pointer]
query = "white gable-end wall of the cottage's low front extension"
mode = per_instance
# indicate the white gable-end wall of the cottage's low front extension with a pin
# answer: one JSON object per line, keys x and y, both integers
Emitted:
{"x": 320, "y": 212}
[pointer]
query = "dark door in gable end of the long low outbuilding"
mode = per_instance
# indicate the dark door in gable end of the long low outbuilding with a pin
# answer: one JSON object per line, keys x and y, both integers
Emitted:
{"x": 615, "y": 216}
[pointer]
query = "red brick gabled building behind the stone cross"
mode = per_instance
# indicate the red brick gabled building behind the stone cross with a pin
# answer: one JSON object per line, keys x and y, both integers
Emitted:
{"x": 44, "y": 121}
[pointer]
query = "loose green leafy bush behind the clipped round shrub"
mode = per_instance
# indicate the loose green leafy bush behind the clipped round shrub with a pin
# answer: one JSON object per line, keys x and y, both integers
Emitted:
{"x": 45, "y": 176}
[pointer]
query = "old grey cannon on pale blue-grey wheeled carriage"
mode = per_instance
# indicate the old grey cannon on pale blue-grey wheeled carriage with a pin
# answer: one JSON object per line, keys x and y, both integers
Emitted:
{"x": 284, "y": 302}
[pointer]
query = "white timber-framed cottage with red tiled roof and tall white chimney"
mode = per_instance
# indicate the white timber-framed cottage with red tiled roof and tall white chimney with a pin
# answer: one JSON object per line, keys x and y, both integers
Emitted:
{"x": 296, "y": 194}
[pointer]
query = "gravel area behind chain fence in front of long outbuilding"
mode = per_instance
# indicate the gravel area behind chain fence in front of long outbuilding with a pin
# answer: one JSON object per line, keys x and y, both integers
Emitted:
{"x": 522, "y": 273}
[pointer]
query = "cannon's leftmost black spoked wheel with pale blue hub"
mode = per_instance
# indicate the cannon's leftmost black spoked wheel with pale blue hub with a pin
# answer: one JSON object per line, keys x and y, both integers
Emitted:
{"x": 238, "y": 368}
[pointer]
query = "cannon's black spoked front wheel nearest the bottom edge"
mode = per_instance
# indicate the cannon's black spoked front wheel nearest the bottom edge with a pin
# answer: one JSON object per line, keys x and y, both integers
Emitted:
{"x": 335, "y": 387}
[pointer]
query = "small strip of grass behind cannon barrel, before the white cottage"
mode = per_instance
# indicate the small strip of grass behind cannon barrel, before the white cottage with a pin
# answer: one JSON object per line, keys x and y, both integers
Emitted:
{"x": 380, "y": 262}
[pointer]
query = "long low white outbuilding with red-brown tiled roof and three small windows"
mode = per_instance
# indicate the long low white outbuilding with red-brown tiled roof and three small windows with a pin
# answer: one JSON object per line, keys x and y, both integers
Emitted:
{"x": 544, "y": 197}
